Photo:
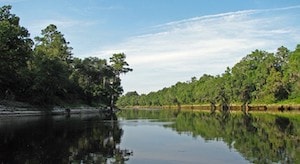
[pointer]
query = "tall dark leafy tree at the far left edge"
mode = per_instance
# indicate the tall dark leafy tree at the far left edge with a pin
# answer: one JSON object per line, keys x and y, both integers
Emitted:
{"x": 15, "y": 51}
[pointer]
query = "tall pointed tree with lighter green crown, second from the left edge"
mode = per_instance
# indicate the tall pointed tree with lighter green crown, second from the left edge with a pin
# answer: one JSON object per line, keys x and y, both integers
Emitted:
{"x": 50, "y": 67}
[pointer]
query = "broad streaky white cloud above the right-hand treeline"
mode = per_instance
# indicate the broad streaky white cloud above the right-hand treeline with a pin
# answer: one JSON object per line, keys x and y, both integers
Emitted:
{"x": 176, "y": 51}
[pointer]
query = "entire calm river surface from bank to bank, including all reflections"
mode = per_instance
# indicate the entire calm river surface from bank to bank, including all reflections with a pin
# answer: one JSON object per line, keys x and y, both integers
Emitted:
{"x": 150, "y": 137}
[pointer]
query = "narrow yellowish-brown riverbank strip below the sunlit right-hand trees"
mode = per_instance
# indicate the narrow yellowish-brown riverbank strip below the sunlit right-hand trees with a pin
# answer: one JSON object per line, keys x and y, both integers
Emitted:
{"x": 232, "y": 107}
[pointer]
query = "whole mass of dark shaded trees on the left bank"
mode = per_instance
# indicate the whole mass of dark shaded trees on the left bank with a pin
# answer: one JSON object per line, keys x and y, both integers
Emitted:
{"x": 44, "y": 71}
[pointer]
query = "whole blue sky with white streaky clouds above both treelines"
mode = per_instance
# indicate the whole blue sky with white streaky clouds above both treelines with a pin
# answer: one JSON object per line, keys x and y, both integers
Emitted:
{"x": 166, "y": 41}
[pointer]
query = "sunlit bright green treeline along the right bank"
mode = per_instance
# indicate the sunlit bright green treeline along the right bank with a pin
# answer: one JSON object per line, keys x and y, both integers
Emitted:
{"x": 260, "y": 77}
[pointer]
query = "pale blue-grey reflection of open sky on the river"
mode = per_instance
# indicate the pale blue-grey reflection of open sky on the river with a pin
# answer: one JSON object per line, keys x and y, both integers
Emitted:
{"x": 151, "y": 142}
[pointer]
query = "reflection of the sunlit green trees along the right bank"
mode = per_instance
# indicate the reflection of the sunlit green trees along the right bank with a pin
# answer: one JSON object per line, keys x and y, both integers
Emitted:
{"x": 260, "y": 138}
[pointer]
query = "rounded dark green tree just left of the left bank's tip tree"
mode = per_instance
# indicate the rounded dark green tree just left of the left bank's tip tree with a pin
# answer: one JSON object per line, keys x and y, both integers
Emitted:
{"x": 92, "y": 75}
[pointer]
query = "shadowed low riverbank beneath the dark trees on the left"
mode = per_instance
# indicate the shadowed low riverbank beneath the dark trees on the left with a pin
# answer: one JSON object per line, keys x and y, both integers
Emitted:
{"x": 14, "y": 108}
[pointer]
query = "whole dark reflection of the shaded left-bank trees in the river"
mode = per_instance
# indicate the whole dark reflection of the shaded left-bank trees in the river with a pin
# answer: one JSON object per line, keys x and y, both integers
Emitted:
{"x": 62, "y": 141}
